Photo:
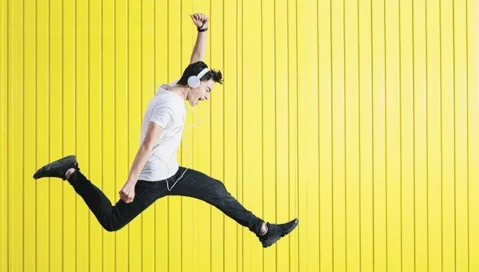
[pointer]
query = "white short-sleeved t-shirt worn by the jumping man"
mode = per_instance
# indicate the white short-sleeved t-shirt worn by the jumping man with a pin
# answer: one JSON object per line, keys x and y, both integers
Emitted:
{"x": 168, "y": 110}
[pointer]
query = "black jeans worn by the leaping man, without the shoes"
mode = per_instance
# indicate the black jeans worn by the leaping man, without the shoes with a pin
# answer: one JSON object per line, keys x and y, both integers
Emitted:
{"x": 190, "y": 184}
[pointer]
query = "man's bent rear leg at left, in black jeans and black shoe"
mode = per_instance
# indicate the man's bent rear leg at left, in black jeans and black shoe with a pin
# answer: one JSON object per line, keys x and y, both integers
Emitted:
{"x": 112, "y": 218}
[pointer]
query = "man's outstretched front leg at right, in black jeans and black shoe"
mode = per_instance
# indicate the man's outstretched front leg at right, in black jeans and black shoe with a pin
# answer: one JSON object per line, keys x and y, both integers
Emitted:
{"x": 191, "y": 183}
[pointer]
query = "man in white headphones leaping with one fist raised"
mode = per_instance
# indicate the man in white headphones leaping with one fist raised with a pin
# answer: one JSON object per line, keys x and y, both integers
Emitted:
{"x": 155, "y": 172}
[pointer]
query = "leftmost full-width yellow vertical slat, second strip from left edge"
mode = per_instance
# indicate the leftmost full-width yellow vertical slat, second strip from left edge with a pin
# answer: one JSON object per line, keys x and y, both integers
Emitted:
{"x": 15, "y": 134}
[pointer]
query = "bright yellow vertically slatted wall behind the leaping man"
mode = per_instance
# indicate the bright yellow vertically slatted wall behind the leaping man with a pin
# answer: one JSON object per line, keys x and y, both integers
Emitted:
{"x": 358, "y": 117}
